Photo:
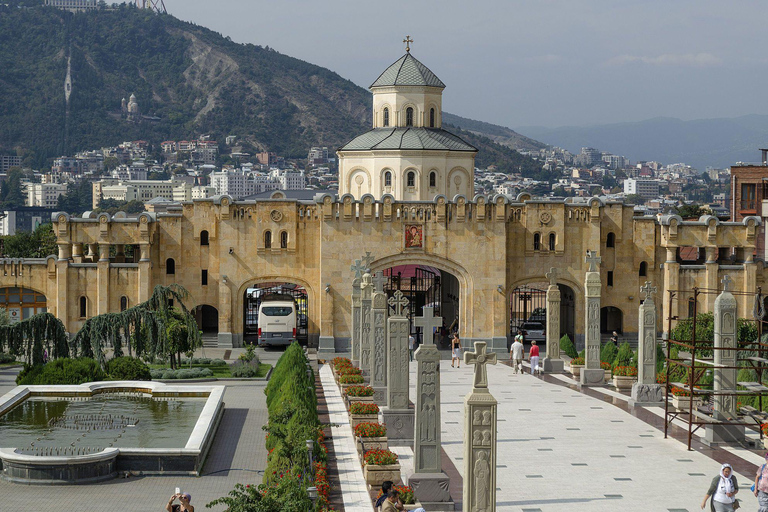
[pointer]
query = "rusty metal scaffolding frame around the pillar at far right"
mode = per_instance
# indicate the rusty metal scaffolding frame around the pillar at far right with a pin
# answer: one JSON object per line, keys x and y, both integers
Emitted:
{"x": 696, "y": 356}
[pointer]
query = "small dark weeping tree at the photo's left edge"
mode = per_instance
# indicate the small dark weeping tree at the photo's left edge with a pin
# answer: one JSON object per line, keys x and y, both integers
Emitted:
{"x": 30, "y": 338}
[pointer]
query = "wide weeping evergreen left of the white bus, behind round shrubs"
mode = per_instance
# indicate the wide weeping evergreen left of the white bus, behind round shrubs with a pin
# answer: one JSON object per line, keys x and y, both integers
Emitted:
{"x": 141, "y": 330}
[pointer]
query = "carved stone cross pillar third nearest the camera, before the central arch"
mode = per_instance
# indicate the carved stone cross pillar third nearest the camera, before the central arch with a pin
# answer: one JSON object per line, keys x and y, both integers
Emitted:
{"x": 398, "y": 416}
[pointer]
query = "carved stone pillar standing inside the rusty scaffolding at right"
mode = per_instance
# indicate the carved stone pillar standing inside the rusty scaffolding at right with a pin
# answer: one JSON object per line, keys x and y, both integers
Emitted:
{"x": 724, "y": 407}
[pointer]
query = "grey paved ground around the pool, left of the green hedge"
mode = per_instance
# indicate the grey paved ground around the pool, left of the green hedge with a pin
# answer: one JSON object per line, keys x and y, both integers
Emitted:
{"x": 237, "y": 455}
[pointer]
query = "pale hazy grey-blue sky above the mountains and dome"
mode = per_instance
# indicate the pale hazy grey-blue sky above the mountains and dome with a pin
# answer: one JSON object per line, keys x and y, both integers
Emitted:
{"x": 536, "y": 62}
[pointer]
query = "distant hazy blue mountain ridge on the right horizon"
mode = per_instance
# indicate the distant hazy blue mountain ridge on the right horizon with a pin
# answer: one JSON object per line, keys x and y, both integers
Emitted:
{"x": 703, "y": 142}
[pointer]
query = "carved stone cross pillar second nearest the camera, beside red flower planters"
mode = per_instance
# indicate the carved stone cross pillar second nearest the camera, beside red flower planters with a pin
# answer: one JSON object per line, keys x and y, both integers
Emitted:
{"x": 429, "y": 483}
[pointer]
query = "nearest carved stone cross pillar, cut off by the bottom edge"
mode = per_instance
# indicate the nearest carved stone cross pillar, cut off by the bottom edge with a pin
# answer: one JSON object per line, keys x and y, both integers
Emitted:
{"x": 479, "y": 436}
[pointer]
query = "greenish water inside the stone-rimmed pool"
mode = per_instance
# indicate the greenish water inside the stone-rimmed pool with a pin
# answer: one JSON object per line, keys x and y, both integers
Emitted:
{"x": 41, "y": 425}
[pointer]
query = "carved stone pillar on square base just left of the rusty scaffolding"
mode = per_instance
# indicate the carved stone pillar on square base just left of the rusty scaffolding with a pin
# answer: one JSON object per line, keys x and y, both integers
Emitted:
{"x": 646, "y": 391}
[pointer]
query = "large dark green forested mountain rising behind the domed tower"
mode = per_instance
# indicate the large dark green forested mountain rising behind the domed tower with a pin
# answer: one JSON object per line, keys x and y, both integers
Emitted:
{"x": 64, "y": 75}
